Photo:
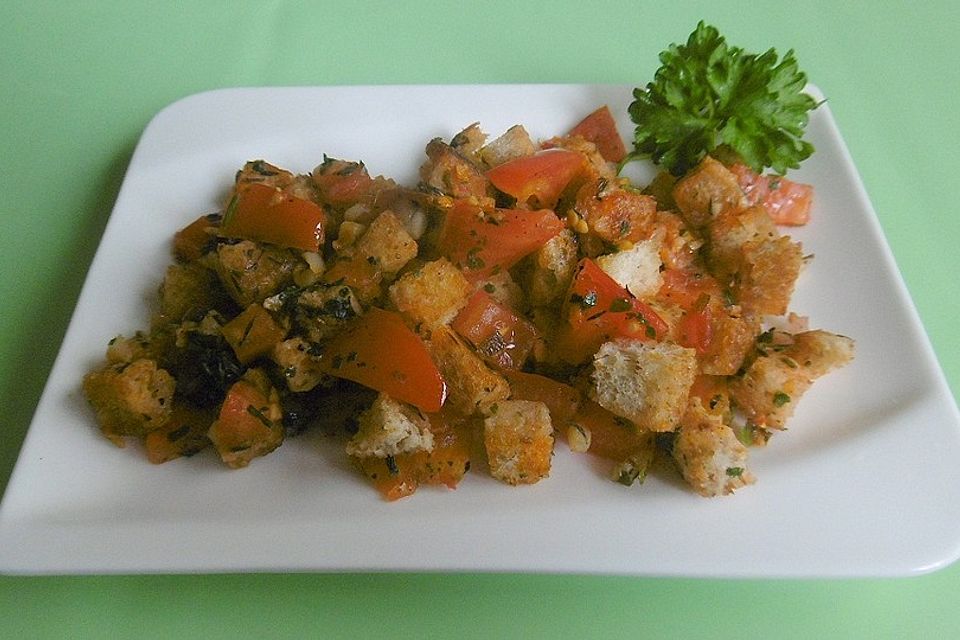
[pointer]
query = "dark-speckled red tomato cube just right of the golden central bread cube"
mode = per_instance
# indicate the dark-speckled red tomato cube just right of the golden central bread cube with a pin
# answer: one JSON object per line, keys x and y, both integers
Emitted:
{"x": 499, "y": 335}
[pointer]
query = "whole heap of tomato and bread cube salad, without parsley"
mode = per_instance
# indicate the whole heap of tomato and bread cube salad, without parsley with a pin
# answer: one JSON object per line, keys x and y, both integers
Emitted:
{"x": 522, "y": 296}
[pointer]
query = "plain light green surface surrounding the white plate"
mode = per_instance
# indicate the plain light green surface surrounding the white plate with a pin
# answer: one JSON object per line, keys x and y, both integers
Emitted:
{"x": 79, "y": 81}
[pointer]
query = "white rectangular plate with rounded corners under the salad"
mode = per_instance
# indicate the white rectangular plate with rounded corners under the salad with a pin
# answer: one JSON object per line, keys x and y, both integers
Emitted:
{"x": 866, "y": 481}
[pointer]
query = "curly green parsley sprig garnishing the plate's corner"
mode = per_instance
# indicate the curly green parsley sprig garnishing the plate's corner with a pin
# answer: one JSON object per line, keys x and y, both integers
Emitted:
{"x": 708, "y": 94}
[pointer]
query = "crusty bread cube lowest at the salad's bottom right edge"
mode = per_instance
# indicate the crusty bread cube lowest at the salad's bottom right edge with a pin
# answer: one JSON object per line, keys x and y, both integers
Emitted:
{"x": 708, "y": 454}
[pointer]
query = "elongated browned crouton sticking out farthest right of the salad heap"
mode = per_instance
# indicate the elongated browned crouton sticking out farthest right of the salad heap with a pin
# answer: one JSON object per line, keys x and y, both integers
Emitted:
{"x": 774, "y": 382}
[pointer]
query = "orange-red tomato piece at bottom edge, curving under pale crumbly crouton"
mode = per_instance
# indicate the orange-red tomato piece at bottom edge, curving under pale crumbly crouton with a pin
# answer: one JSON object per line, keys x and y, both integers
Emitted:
{"x": 401, "y": 475}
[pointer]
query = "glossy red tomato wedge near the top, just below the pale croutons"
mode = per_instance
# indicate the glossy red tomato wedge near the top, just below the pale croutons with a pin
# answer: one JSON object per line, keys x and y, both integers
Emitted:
{"x": 538, "y": 180}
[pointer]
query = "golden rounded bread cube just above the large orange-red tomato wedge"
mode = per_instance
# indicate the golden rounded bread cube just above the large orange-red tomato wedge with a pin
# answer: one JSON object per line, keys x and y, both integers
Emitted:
{"x": 432, "y": 295}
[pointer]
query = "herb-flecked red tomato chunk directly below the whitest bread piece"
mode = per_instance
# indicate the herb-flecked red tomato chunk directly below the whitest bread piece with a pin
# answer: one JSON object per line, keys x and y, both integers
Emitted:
{"x": 598, "y": 309}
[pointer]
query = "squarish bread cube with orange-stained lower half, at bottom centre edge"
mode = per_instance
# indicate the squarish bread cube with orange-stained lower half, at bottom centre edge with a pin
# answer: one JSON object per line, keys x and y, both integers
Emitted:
{"x": 518, "y": 437}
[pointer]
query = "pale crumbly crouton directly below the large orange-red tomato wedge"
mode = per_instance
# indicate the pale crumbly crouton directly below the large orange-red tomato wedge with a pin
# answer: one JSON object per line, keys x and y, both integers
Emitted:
{"x": 389, "y": 428}
